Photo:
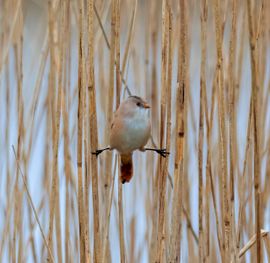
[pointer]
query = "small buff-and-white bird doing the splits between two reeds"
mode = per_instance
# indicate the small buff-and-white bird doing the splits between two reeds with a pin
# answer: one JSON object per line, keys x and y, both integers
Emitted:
{"x": 130, "y": 130}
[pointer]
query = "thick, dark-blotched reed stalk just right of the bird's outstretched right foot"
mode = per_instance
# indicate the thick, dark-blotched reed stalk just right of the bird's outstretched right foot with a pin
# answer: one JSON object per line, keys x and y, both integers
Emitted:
{"x": 175, "y": 240}
